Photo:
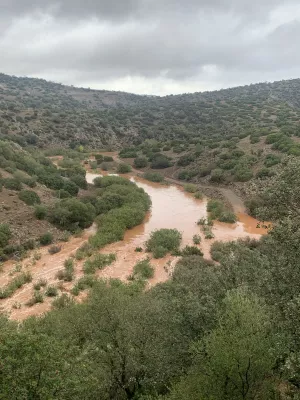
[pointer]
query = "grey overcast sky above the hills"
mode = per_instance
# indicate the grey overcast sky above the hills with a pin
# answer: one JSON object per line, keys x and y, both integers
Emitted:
{"x": 151, "y": 46}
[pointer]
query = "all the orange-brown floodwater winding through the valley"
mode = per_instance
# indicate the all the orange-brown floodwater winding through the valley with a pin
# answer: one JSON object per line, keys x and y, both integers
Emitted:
{"x": 171, "y": 208}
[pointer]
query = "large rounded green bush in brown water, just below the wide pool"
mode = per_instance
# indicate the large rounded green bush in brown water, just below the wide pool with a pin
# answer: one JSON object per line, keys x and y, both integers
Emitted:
{"x": 163, "y": 241}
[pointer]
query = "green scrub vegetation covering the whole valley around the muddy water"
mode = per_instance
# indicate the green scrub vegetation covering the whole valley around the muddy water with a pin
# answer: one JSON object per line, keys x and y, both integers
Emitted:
{"x": 224, "y": 329}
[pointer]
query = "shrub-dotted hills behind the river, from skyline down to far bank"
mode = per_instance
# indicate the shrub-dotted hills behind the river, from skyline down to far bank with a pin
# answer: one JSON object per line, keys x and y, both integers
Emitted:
{"x": 225, "y": 136}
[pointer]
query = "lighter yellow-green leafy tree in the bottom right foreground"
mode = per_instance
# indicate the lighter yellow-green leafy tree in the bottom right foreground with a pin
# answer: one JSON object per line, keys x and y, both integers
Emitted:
{"x": 235, "y": 360}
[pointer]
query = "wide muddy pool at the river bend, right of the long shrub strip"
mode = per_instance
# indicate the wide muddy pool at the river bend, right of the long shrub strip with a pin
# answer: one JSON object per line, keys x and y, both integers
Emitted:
{"x": 172, "y": 208}
